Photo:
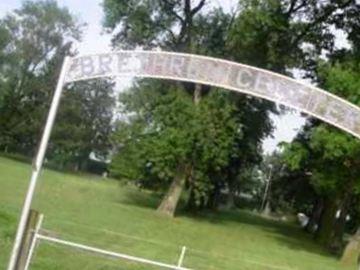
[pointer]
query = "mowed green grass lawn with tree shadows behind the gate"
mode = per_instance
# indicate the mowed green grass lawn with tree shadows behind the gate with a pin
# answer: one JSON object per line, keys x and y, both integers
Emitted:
{"x": 105, "y": 214}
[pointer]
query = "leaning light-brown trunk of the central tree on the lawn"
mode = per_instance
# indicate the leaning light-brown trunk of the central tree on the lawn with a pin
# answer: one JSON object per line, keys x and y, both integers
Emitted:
{"x": 172, "y": 197}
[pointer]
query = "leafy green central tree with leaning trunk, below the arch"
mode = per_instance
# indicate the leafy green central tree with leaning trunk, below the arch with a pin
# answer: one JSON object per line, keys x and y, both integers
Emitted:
{"x": 166, "y": 131}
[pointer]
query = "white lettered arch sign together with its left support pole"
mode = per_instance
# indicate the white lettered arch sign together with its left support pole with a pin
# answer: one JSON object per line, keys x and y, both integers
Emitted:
{"x": 198, "y": 69}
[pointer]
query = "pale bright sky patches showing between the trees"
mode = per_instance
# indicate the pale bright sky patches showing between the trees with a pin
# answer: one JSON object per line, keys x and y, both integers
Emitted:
{"x": 95, "y": 40}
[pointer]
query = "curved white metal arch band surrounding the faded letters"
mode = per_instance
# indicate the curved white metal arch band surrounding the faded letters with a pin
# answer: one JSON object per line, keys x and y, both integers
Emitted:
{"x": 312, "y": 91}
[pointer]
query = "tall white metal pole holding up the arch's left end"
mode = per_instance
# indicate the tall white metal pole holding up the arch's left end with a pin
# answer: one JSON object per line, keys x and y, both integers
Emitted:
{"x": 37, "y": 165}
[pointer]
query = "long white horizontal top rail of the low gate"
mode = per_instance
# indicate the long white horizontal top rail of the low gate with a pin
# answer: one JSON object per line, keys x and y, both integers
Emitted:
{"x": 108, "y": 253}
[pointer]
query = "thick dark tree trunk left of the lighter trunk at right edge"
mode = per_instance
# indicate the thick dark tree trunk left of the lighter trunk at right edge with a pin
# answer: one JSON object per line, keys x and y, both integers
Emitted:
{"x": 327, "y": 222}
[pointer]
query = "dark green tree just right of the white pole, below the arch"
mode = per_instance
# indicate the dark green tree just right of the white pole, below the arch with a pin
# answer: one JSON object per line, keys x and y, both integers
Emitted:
{"x": 84, "y": 125}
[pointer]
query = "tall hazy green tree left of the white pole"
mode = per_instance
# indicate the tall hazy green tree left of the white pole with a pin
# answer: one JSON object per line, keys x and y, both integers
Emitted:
{"x": 33, "y": 37}
